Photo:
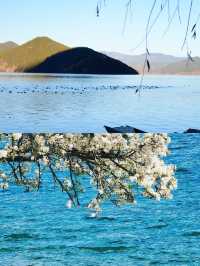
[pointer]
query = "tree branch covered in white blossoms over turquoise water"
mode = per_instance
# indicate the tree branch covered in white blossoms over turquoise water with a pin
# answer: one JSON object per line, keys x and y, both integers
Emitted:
{"x": 116, "y": 164}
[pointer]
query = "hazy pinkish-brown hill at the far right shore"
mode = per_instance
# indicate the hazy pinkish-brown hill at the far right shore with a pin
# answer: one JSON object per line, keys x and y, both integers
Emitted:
{"x": 183, "y": 67}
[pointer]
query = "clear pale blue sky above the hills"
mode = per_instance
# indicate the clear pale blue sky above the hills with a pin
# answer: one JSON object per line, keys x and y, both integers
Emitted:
{"x": 74, "y": 23}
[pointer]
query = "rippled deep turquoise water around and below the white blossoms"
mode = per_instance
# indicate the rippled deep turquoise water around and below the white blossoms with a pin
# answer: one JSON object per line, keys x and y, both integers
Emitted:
{"x": 37, "y": 229}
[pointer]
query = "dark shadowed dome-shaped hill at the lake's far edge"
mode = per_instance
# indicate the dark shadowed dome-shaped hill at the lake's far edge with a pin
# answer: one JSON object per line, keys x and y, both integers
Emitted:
{"x": 83, "y": 60}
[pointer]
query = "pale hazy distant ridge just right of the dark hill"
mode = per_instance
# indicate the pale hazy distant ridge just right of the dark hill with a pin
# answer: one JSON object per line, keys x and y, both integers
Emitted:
{"x": 157, "y": 60}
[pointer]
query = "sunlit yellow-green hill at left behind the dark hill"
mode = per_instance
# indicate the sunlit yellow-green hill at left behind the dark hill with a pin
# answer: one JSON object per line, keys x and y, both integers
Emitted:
{"x": 30, "y": 54}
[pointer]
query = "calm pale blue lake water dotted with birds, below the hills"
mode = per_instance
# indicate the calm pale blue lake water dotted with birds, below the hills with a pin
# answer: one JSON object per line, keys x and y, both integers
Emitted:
{"x": 82, "y": 103}
